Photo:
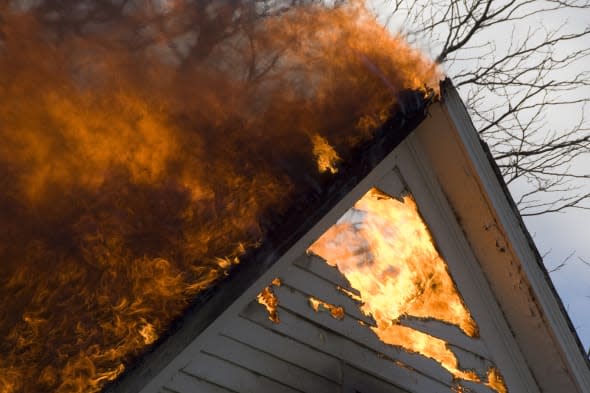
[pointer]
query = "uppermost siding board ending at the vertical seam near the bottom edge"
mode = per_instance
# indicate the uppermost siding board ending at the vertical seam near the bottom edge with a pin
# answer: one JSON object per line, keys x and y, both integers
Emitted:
{"x": 285, "y": 348}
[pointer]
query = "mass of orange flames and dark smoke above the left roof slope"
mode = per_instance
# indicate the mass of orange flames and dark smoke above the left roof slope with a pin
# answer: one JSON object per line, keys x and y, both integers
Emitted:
{"x": 144, "y": 144}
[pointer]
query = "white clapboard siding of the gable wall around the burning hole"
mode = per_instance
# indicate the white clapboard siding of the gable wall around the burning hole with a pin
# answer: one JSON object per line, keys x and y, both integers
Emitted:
{"x": 310, "y": 352}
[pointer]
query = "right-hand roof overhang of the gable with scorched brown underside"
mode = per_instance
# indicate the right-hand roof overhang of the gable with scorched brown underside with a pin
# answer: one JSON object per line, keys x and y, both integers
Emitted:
{"x": 515, "y": 271}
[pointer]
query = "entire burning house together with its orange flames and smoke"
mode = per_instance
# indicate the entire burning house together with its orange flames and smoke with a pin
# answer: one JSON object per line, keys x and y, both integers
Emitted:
{"x": 276, "y": 200}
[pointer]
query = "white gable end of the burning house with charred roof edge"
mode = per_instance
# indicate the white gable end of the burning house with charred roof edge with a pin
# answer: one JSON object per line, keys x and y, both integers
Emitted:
{"x": 419, "y": 276}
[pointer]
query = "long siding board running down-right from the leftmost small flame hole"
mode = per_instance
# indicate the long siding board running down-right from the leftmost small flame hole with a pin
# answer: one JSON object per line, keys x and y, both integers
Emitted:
{"x": 297, "y": 303}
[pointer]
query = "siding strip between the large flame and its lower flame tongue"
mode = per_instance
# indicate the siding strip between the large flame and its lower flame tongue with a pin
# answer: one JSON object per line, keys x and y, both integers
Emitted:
{"x": 449, "y": 333}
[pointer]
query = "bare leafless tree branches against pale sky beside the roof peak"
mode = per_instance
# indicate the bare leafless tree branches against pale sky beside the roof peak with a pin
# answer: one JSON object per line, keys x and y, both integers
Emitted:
{"x": 519, "y": 65}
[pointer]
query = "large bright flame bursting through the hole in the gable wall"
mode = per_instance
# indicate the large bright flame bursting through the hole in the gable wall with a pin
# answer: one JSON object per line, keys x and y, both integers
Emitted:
{"x": 385, "y": 250}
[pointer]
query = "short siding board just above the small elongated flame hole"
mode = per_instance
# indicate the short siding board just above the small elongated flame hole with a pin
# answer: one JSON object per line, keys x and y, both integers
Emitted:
{"x": 312, "y": 285}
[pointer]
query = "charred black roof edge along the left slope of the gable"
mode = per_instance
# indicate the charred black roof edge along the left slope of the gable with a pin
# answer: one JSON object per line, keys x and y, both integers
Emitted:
{"x": 208, "y": 305}
